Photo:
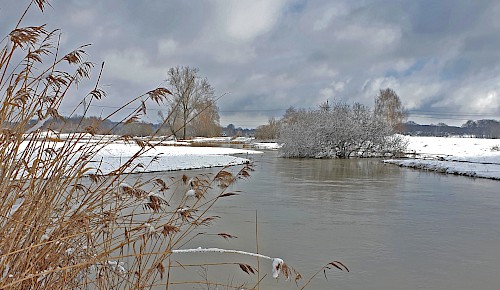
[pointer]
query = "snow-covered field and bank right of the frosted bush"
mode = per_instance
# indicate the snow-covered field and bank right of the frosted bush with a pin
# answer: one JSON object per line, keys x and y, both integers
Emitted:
{"x": 462, "y": 156}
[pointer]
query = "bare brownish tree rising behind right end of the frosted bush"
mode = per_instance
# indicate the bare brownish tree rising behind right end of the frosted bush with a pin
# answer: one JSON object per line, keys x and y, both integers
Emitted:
{"x": 388, "y": 107}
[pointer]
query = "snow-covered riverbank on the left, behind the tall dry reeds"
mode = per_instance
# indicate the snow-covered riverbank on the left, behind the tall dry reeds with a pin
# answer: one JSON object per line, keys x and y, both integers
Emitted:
{"x": 166, "y": 155}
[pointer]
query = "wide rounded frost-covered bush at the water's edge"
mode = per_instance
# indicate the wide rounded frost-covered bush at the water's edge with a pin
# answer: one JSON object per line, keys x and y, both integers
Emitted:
{"x": 341, "y": 131}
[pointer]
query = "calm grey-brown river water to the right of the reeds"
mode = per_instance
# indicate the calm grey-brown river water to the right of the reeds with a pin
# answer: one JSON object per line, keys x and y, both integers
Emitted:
{"x": 395, "y": 228}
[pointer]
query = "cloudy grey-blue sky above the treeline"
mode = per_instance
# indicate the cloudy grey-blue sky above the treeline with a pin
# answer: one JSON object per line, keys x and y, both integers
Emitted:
{"x": 441, "y": 57}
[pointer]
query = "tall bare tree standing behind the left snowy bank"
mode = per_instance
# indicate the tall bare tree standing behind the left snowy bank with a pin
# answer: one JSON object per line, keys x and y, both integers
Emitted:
{"x": 189, "y": 90}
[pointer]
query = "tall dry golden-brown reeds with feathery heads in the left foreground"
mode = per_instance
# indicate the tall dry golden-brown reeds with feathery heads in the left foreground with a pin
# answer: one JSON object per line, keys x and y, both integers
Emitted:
{"x": 63, "y": 222}
